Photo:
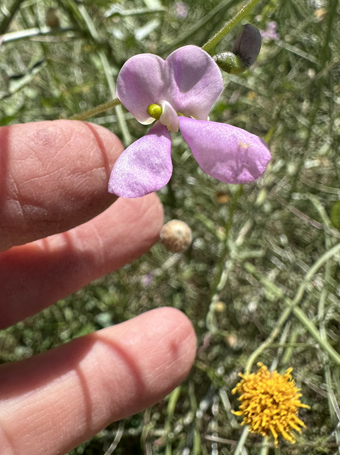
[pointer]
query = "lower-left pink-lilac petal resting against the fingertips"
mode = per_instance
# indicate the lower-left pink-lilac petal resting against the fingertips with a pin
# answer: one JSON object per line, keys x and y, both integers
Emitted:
{"x": 145, "y": 166}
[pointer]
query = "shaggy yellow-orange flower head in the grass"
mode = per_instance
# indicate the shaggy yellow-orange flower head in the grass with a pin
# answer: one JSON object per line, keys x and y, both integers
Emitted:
{"x": 270, "y": 403}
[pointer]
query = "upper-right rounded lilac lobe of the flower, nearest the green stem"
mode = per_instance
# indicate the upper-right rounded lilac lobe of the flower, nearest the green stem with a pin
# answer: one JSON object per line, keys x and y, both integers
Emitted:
{"x": 195, "y": 81}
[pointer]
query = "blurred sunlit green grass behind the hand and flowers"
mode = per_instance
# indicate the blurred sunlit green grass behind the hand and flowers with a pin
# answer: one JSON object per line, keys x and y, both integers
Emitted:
{"x": 253, "y": 246}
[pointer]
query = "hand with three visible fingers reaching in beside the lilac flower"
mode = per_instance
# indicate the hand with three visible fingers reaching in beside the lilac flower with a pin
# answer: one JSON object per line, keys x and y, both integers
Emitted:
{"x": 59, "y": 230}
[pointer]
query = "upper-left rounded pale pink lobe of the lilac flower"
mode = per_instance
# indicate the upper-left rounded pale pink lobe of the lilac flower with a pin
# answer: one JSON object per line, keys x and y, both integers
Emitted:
{"x": 141, "y": 82}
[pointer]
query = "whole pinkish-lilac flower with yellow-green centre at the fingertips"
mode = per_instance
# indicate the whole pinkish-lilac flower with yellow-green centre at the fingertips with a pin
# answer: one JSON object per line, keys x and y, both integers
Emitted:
{"x": 179, "y": 93}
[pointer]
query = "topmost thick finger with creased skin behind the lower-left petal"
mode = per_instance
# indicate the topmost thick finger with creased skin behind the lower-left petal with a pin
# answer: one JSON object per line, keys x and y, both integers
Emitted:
{"x": 53, "y": 176}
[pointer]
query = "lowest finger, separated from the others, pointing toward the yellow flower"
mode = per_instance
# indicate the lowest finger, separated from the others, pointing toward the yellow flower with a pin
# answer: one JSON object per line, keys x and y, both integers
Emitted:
{"x": 53, "y": 402}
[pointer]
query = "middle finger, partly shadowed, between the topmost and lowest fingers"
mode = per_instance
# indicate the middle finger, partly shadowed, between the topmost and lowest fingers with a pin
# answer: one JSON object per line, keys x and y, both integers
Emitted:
{"x": 36, "y": 275}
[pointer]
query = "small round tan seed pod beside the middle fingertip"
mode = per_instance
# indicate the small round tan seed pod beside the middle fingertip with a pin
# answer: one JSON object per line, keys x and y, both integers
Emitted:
{"x": 176, "y": 236}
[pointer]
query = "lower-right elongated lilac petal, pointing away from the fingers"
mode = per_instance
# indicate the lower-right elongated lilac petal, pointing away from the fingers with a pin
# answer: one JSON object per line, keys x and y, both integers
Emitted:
{"x": 225, "y": 152}
